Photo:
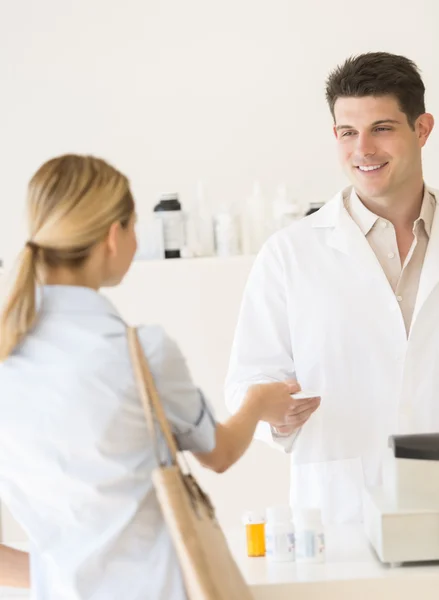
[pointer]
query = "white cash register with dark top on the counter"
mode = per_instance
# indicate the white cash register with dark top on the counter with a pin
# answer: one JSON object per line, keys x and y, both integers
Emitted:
{"x": 401, "y": 517}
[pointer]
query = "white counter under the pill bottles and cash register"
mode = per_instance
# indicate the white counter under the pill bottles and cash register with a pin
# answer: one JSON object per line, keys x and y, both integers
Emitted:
{"x": 351, "y": 572}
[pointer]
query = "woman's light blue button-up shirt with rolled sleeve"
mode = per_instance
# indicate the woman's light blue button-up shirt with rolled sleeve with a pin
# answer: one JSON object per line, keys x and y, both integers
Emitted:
{"x": 75, "y": 455}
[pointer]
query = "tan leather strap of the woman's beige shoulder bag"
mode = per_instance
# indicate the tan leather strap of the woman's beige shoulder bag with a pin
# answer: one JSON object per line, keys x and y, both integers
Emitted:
{"x": 152, "y": 406}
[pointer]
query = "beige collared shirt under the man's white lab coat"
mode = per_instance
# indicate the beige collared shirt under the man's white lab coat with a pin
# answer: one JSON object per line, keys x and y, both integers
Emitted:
{"x": 381, "y": 235}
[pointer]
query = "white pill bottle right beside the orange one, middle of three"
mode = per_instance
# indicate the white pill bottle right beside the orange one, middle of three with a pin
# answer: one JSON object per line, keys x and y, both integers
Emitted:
{"x": 279, "y": 534}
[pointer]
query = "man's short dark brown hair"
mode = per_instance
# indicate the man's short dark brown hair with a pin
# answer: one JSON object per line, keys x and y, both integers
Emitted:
{"x": 379, "y": 74}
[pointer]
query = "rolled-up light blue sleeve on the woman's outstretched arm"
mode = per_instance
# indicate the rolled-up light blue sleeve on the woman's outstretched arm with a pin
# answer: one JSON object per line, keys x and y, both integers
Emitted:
{"x": 189, "y": 413}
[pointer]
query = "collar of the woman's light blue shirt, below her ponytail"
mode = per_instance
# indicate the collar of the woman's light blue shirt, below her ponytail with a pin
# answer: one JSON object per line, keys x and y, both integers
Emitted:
{"x": 73, "y": 299}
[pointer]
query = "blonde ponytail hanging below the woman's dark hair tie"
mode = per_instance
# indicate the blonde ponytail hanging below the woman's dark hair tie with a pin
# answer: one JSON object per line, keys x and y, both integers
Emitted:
{"x": 19, "y": 313}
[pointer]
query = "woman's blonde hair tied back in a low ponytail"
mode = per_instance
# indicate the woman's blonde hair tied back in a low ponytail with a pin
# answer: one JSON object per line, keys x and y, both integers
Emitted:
{"x": 72, "y": 203}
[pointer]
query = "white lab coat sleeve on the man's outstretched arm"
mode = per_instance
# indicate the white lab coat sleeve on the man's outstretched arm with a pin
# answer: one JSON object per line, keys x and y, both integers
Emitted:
{"x": 262, "y": 350}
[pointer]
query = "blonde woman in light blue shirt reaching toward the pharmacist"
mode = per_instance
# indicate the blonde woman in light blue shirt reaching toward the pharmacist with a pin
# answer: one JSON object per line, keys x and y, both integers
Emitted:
{"x": 75, "y": 455}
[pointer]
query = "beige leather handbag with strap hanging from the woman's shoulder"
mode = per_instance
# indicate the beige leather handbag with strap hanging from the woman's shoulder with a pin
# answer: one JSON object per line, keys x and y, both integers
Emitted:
{"x": 209, "y": 570}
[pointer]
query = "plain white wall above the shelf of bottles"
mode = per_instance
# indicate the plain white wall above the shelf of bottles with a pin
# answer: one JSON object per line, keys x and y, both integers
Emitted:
{"x": 174, "y": 90}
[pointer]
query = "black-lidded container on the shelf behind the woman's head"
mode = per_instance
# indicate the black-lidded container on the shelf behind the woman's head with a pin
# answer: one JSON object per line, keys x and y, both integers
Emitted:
{"x": 169, "y": 211}
